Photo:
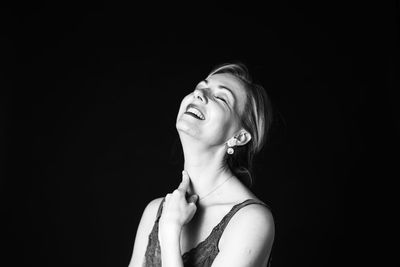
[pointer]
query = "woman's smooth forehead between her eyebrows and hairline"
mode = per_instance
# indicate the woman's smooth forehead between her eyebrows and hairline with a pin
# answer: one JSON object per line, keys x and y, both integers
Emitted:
{"x": 234, "y": 84}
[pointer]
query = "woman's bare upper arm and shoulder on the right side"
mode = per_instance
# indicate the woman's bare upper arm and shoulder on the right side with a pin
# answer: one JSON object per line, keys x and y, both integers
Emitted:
{"x": 247, "y": 239}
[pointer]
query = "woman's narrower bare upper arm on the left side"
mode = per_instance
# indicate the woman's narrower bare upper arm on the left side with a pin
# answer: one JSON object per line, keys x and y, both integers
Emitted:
{"x": 143, "y": 231}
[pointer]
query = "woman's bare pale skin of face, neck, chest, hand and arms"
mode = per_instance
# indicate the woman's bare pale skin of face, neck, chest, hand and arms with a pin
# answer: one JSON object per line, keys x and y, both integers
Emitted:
{"x": 185, "y": 222}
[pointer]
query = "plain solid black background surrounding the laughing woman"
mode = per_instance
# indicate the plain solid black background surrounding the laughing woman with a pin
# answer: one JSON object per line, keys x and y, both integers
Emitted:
{"x": 89, "y": 97}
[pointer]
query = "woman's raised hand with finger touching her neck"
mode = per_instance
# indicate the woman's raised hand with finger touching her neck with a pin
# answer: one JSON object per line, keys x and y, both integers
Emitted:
{"x": 178, "y": 210}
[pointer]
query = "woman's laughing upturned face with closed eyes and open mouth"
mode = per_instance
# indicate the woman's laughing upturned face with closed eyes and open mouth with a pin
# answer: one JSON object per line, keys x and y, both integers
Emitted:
{"x": 211, "y": 113}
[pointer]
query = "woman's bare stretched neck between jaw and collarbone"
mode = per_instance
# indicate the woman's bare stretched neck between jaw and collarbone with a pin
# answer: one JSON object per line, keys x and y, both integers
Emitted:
{"x": 206, "y": 167}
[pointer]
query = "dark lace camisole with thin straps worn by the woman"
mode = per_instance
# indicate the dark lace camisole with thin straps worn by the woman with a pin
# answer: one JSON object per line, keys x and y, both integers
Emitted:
{"x": 205, "y": 252}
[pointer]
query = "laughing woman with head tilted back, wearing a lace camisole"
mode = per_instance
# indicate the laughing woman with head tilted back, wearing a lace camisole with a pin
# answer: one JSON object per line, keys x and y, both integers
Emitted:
{"x": 212, "y": 218}
